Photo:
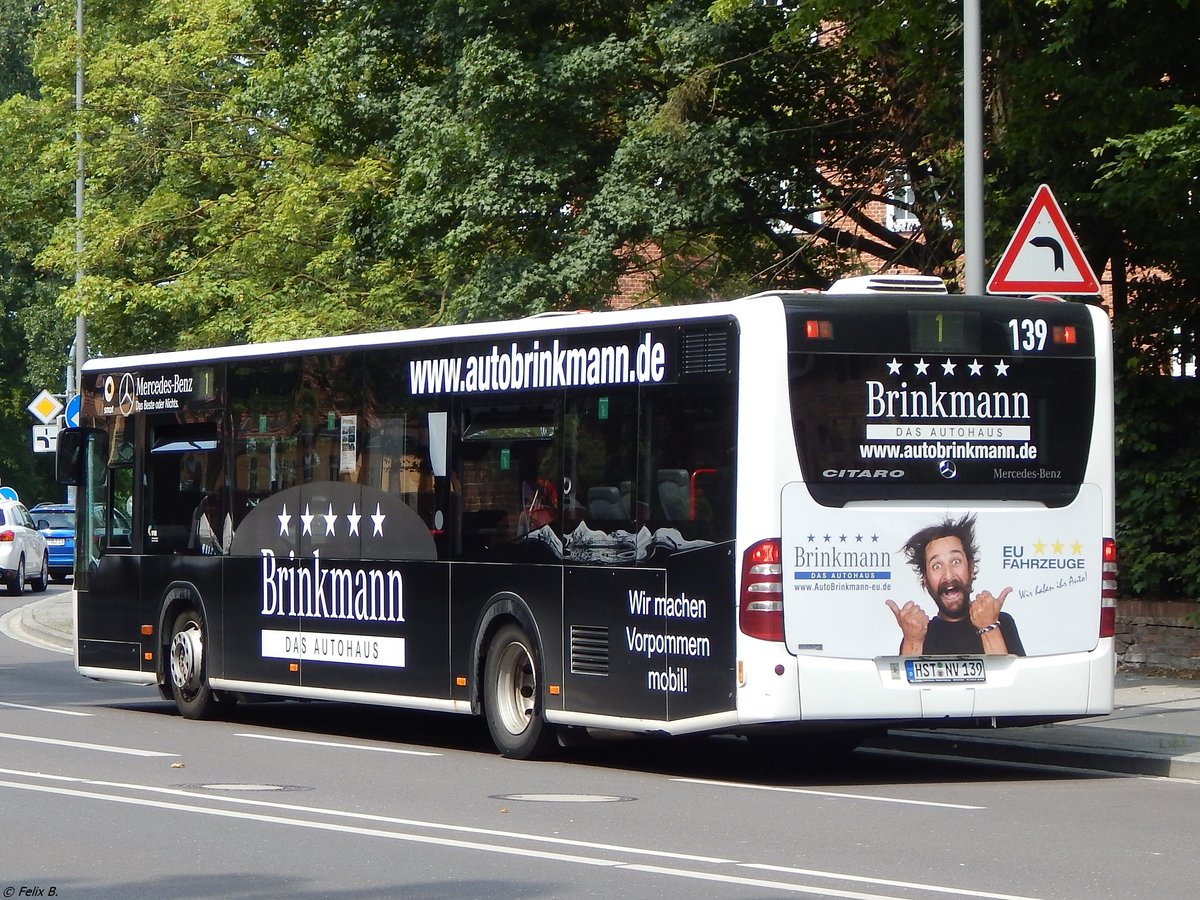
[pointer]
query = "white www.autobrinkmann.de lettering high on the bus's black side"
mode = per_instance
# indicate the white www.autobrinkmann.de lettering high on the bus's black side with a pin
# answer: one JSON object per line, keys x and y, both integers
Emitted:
{"x": 514, "y": 369}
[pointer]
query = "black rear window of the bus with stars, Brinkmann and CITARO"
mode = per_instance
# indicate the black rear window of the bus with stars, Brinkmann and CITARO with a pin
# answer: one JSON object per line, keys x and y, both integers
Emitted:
{"x": 940, "y": 404}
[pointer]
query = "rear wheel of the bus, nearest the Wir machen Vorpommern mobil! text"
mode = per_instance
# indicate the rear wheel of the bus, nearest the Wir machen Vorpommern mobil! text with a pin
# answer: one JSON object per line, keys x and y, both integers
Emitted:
{"x": 513, "y": 689}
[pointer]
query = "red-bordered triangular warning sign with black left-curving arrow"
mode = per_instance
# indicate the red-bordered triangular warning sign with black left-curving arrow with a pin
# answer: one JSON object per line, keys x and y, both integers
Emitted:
{"x": 1043, "y": 256}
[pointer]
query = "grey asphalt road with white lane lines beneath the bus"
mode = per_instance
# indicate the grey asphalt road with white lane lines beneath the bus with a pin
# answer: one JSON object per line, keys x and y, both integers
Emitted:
{"x": 107, "y": 793}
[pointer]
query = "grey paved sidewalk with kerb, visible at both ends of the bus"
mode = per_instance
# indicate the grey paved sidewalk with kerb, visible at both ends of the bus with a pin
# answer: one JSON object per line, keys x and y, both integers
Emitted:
{"x": 1155, "y": 729}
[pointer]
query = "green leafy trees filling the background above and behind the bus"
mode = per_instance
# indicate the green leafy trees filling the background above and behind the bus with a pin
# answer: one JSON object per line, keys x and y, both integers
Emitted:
{"x": 265, "y": 170}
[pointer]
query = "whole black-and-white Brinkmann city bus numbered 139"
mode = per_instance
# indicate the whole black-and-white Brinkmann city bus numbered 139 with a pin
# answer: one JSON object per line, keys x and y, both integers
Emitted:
{"x": 707, "y": 519}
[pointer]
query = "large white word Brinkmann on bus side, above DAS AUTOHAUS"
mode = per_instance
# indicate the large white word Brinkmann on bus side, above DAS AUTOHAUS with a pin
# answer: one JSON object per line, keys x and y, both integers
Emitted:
{"x": 305, "y": 589}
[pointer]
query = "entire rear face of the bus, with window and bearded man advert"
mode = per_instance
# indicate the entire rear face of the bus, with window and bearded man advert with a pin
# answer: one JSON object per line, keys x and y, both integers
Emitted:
{"x": 976, "y": 425}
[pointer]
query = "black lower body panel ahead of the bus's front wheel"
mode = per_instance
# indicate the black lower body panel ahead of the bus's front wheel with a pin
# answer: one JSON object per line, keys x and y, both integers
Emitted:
{"x": 107, "y": 625}
